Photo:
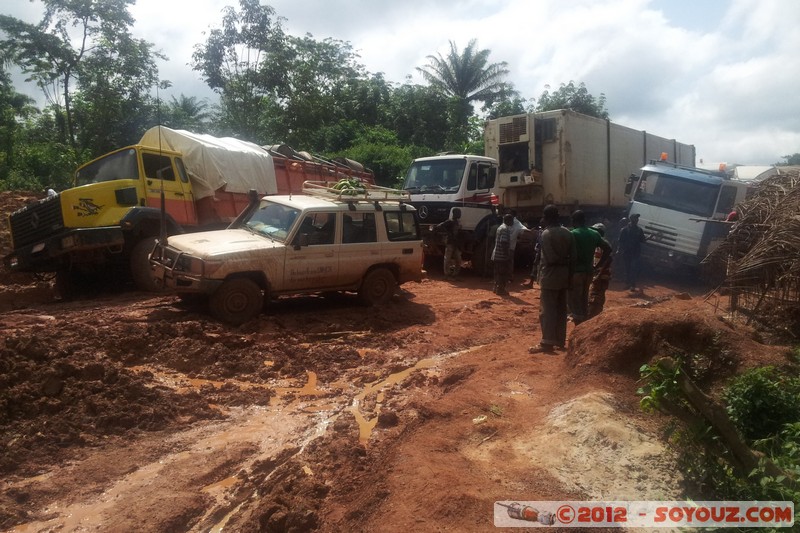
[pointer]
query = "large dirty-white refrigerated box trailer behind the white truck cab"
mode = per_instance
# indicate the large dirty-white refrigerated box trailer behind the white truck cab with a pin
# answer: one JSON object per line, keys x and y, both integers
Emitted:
{"x": 572, "y": 160}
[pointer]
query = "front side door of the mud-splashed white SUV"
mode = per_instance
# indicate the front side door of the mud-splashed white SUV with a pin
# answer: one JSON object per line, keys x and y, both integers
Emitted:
{"x": 312, "y": 259}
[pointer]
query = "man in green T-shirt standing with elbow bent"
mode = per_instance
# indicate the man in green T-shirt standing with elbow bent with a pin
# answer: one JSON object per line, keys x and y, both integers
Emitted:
{"x": 586, "y": 241}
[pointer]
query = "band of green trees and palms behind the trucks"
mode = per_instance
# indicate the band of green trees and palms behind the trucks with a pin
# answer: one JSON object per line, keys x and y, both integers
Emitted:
{"x": 102, "y": 91}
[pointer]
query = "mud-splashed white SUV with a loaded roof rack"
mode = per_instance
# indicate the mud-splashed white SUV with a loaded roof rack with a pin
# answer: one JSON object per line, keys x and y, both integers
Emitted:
{"x": 326, "y": 240}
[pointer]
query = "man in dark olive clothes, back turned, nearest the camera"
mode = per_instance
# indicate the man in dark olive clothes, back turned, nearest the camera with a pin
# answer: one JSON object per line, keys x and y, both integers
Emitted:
{"x": 557, "y": 262}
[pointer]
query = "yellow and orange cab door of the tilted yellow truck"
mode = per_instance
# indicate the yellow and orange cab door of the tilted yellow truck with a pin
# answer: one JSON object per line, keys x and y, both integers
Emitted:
{"x": 160, "y": 173}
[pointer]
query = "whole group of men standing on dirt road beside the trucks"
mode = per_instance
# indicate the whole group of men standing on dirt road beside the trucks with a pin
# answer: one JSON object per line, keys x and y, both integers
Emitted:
{"x": 572, "y": 266}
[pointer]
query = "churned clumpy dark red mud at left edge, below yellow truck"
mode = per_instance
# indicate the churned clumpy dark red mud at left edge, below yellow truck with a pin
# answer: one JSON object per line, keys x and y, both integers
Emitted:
{"x": 51, "y": 401}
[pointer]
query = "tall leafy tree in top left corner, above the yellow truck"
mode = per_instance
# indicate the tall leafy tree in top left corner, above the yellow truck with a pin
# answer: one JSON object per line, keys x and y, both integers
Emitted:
{"x": 73, "y": 39}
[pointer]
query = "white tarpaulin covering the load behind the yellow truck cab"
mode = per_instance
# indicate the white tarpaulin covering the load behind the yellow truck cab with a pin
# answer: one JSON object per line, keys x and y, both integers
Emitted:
{"x": 215, "y": 163}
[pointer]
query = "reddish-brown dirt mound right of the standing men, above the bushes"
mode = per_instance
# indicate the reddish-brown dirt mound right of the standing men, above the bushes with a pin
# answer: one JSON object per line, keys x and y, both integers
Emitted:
{"x": 620, "y": 340}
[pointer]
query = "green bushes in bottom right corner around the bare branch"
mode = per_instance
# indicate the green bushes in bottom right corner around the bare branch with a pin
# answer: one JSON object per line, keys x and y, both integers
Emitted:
{"x": 764, "y": 406}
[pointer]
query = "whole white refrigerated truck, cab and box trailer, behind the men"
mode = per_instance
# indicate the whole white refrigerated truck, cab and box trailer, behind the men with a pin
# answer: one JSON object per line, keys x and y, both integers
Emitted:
{"x": 554, "y": 157}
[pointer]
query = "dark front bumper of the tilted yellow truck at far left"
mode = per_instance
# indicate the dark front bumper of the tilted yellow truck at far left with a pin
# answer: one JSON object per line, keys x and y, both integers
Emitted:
{"x": 58, "y": 252}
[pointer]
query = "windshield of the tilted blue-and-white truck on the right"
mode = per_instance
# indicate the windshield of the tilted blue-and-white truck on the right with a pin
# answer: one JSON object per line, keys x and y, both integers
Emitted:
{"x": 679, "y": 194}
